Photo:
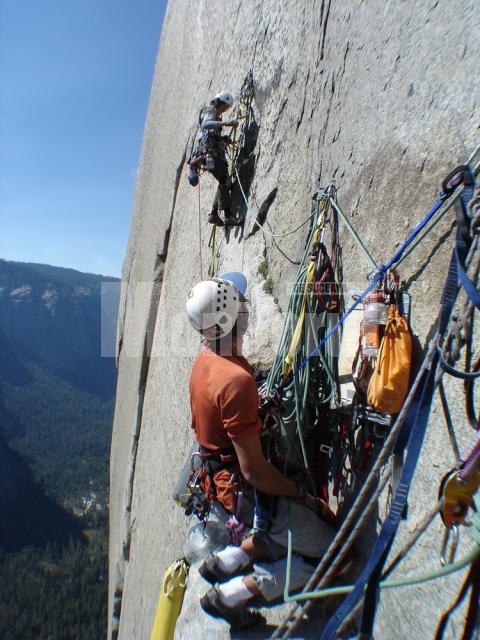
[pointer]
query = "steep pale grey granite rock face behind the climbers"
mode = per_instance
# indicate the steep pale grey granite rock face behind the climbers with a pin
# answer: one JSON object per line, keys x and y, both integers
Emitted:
{"x": 380, "y": 97}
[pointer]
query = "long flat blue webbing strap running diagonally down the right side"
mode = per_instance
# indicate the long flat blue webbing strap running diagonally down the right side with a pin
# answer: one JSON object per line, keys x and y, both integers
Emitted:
{"x": 412, "y": 432}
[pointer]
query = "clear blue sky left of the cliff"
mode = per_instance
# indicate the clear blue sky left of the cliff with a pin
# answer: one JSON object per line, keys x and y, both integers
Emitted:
{"x": 75, "y": 78}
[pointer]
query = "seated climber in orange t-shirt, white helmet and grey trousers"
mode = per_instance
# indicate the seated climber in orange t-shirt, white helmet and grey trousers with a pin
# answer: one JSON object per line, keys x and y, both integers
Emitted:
{"x": 224, "y": 405}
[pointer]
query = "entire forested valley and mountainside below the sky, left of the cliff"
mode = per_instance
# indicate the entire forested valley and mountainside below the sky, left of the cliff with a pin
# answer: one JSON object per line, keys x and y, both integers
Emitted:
{"x": 56, "y": 413}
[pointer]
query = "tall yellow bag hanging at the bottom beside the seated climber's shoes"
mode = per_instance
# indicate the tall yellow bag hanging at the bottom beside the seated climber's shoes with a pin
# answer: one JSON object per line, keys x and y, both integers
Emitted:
{"x": 170, "y": 601}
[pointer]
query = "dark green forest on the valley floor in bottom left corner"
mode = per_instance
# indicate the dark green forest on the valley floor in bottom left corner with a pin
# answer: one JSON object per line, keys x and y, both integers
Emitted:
{"x": 55, "y": 593}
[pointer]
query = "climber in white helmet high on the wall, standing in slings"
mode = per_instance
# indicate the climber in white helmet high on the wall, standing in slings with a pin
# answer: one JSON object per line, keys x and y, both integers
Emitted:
{"x": 209, "y": 153}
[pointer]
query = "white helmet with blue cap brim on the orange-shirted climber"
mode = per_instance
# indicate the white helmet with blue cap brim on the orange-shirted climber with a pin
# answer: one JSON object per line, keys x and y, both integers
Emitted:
{"x": 213, "y": 305}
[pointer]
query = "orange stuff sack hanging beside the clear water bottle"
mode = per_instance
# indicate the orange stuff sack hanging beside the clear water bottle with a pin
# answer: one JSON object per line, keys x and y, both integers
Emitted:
{"x": 389, "y": 383}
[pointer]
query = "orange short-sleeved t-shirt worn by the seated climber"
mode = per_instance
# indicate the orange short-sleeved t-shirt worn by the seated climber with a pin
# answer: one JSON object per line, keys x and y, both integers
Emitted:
{"x": 224, "y": 404}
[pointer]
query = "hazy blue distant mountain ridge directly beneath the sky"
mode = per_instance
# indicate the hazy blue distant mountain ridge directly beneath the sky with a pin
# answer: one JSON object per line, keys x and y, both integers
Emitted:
{"x": 56, "y": 317}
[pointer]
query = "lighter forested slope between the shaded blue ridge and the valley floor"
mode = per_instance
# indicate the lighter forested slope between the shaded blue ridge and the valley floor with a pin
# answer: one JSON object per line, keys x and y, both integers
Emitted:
{"x": 62, "y": 432}
